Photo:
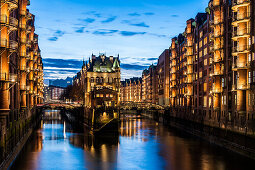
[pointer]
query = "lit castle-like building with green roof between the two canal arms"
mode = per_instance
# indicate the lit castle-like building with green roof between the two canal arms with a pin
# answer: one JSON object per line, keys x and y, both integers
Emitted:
{"x": 100, "y": 81}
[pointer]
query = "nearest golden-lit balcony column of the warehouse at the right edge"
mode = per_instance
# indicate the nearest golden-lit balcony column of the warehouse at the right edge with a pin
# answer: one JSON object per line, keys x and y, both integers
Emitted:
{"x": 243, "y": 59}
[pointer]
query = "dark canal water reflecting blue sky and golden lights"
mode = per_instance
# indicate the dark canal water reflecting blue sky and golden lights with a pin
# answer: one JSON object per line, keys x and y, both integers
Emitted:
{"x": 141, "y": 144}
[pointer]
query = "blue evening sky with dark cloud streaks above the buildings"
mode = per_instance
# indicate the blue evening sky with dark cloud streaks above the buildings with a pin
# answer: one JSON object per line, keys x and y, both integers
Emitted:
{"x": 138, "y": 30}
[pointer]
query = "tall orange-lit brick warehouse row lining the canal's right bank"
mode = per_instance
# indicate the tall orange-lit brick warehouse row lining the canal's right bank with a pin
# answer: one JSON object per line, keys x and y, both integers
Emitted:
{"x": 212, "y": 66}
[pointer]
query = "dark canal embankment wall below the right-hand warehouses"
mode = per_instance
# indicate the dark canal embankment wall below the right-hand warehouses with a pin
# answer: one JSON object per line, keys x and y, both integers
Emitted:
{"x": 238, "y": 142}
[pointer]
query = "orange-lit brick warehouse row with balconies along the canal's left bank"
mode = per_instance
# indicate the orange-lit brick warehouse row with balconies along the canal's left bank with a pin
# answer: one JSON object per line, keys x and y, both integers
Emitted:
{"x": 21, "y": 69}
